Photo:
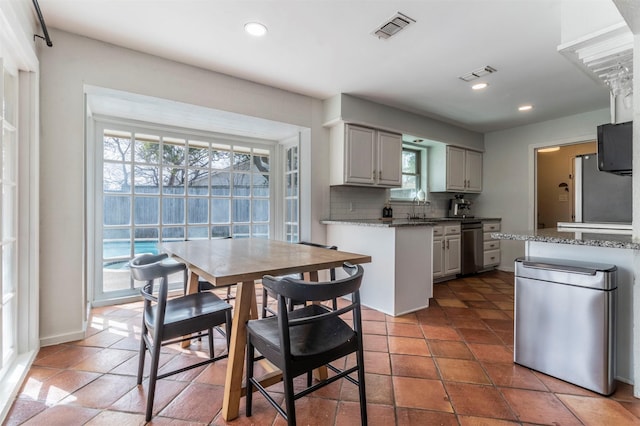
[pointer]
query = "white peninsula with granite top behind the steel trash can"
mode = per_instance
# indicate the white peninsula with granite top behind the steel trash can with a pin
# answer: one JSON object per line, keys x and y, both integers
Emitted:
{"x": 593, "y": 245}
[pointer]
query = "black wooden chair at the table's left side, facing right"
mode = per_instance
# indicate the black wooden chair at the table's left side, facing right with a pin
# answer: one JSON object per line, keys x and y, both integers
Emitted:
{"x": 166, "y": 321}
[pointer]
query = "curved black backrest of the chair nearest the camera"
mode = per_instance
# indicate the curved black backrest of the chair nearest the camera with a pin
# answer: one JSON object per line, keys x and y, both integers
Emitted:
{"x": 312, "y": 291}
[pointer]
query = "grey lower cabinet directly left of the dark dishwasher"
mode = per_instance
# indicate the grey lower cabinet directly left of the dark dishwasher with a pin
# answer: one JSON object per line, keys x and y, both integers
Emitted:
{"x": 446, "y": 250}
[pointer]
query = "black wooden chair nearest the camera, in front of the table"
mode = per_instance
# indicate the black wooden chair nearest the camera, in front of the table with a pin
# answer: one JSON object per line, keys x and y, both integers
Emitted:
{"x": 307, "y": 338}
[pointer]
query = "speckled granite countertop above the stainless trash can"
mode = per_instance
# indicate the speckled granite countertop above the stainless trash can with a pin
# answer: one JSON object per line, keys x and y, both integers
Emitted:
{"x": 581, "y": 237}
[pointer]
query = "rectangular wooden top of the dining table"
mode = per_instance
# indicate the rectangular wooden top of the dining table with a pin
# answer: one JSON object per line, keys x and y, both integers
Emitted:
{"x": 230, "y": 261}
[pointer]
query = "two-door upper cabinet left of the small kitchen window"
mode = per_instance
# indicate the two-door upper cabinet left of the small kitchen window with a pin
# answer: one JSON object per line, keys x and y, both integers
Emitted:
{"x": 365, "y": 157}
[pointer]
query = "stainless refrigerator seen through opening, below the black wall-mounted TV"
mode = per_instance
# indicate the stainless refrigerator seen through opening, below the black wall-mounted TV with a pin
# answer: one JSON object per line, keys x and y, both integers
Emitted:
{"x": 601, "y": 197}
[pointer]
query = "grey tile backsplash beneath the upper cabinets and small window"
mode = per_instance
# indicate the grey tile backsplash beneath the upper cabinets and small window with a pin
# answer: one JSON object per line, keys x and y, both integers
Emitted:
{"x": 351, "y": 202}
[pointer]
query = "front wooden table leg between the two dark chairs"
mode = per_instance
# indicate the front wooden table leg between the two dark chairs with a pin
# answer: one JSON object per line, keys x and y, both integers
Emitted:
{"x": 244, "y": 303}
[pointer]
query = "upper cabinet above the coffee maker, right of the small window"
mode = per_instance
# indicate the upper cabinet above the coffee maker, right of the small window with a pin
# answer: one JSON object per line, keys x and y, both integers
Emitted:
{"x": 453, "y": 169}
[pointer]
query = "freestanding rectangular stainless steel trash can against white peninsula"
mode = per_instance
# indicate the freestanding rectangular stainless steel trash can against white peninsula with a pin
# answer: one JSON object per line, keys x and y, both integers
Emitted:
{"x": 565, "y": 313}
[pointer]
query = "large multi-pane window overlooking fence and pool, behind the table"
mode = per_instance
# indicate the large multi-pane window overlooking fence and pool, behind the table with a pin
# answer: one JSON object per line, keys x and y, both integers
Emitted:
{"x": 160, "y": 186}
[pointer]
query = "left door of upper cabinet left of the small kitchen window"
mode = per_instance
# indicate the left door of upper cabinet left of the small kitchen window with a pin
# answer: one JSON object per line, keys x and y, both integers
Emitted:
{"x": 360, "y": 147}
